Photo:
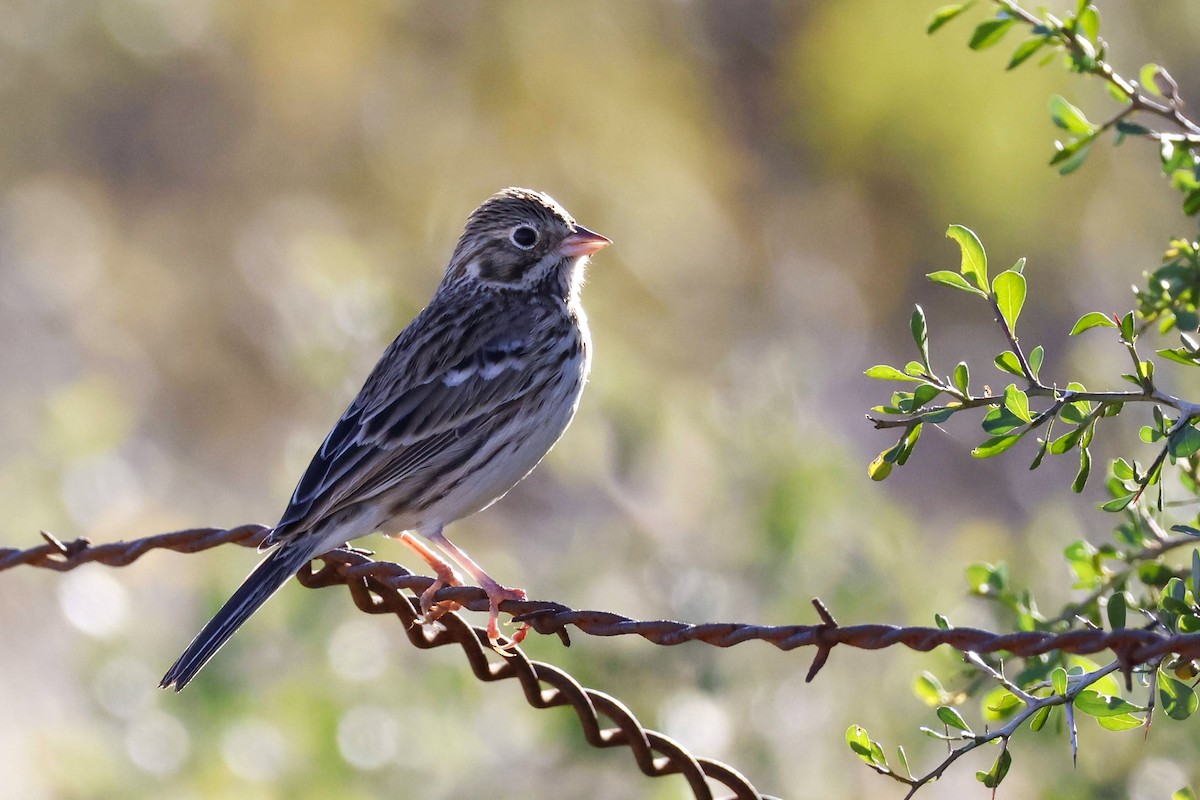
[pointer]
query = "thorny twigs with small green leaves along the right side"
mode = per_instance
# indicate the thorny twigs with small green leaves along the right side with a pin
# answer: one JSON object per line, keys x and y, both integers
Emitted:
{"x": 1133, "y": 578}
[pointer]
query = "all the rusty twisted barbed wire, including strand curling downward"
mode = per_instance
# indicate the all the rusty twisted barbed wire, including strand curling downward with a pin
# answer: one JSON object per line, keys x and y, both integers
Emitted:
{"x": 376, "y": 588}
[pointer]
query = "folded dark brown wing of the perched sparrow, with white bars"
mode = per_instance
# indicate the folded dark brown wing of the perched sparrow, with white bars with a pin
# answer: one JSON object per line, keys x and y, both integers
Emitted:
{"x": 423, "y": 398}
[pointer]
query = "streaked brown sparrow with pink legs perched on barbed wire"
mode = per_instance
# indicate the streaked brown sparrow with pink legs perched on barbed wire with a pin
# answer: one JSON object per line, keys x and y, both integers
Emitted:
{"x": 459, "y": 410}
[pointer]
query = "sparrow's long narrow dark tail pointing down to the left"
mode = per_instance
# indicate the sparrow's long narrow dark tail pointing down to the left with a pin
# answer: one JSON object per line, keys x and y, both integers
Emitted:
{"x": 267, "y": 579}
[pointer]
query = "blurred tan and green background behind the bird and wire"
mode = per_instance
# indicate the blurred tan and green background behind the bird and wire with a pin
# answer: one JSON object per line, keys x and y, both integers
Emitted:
{"x": 214, "y": 216}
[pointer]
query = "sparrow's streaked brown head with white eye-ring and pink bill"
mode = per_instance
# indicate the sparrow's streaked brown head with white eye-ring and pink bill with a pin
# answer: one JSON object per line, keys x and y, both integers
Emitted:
{"x": 524, "y": 240}
